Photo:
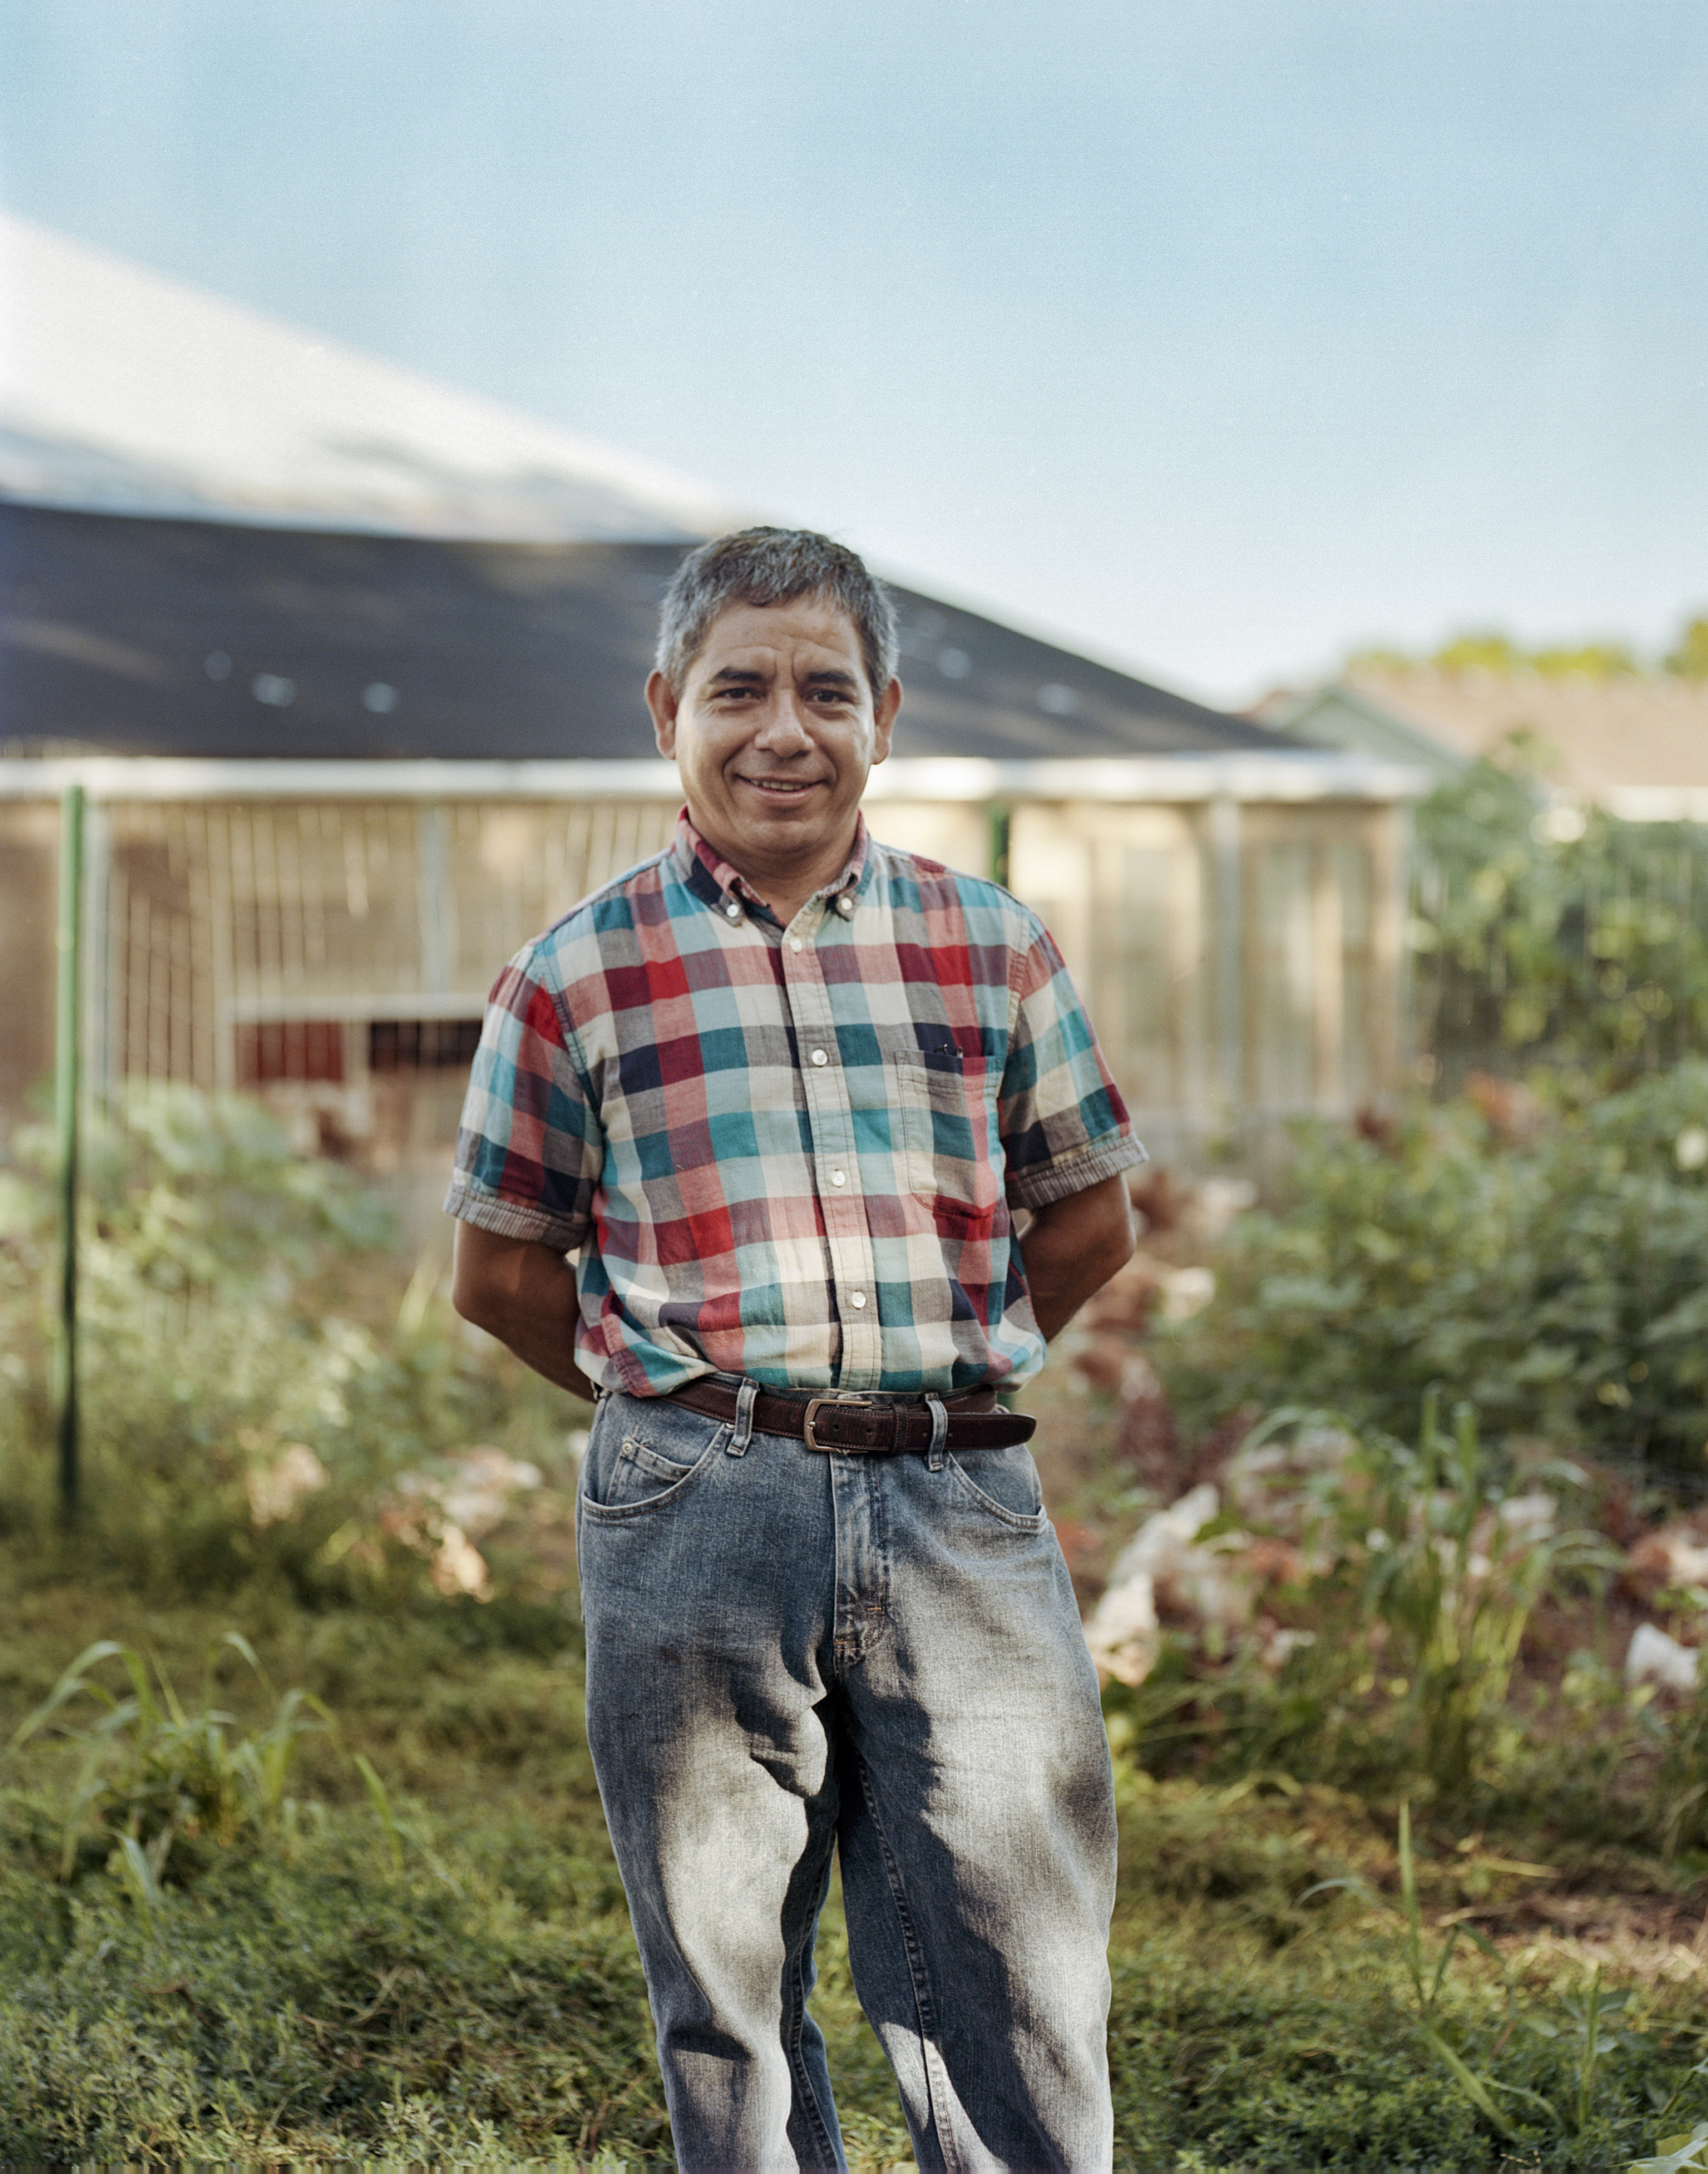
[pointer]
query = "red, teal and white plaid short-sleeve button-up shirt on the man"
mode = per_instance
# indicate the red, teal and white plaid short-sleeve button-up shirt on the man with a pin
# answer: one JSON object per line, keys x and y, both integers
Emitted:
{"x": 790, "y": 1153}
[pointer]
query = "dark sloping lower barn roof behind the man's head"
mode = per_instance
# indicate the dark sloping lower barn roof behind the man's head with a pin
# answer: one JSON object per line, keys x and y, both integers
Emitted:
{"x": 138, "y": 636}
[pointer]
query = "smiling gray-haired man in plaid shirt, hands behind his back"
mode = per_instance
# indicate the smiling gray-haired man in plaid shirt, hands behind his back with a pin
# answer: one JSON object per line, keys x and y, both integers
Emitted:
{"x": 781, "y": 1090}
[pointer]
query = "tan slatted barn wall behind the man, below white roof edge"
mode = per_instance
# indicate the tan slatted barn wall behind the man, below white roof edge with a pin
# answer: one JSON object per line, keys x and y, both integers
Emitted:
{"x": 1240, "y": 960}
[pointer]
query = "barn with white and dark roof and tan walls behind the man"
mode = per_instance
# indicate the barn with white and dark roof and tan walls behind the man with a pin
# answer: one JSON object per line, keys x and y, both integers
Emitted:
{"x": 349, "y": 740}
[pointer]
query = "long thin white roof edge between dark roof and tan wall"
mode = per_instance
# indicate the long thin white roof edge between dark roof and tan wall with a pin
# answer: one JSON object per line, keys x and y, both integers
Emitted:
{"x": 1164, "y": 777}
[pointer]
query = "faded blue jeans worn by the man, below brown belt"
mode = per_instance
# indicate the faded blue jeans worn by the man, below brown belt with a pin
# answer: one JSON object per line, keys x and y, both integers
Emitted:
{"x": 794, "y": 1653}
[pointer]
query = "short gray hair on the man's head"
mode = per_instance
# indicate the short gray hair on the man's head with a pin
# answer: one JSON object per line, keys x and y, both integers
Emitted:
{"x": 773, "y": 566}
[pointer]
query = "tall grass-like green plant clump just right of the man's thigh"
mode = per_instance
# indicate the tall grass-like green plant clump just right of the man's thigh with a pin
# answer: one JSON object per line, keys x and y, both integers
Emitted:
{"x": 1420, "y": 1573}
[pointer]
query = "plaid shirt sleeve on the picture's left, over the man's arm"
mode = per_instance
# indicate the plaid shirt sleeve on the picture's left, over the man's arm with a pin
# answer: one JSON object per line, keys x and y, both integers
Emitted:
{"x": 531, "y": 1145}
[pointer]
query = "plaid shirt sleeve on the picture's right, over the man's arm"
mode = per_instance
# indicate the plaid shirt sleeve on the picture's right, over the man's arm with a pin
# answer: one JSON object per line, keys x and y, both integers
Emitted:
{"x": 1059, "y": 1112}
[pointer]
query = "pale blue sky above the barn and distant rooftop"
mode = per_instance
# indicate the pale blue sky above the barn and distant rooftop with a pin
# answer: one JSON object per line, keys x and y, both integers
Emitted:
{"x": 1216, "y": 338}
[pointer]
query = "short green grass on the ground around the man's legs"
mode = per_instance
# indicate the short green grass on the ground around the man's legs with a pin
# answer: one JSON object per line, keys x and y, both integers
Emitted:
{"x": 307, "y": 1992}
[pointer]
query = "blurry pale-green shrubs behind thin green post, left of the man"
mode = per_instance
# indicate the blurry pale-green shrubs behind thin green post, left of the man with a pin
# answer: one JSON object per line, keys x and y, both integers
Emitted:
{"x": 260, "y": 1379}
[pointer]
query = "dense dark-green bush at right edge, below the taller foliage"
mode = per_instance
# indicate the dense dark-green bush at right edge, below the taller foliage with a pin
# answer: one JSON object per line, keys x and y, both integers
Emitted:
{"x": 1557, "y": 1284}
